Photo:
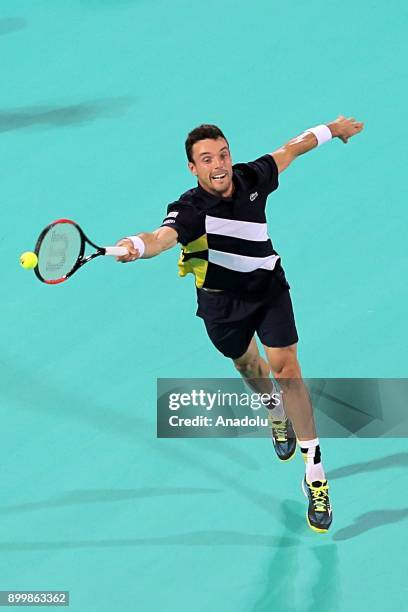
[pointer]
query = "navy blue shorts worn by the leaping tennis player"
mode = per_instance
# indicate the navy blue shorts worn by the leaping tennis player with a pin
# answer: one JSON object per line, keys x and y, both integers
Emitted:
{"x": 232, "y": 320}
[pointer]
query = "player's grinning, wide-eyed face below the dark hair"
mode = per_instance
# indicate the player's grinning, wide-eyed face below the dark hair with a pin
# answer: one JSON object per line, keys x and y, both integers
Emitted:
{"x": 213, "y": 166}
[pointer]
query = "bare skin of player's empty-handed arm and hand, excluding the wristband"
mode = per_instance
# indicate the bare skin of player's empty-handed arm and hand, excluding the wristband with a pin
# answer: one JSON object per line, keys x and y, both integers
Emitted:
{"x": 340, "y": 128}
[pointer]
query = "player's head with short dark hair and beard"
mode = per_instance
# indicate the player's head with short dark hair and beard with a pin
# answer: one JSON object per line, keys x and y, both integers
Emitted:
{"x": 209, "y": 159}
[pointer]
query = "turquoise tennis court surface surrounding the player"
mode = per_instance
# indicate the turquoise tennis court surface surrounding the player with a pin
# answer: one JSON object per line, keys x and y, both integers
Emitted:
{"x": 97, "y": 97}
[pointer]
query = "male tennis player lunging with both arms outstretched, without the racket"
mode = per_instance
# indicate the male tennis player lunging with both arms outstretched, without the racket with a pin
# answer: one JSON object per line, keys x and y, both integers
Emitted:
{"x": 241, "y": 285}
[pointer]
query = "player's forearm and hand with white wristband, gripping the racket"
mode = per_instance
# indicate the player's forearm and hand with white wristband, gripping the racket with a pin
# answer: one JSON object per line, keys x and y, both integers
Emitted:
{"x": 146, "y": 245}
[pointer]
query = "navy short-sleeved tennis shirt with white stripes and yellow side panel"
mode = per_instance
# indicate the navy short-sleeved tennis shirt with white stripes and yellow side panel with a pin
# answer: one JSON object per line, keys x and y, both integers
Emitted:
{"x": 225, "y": 242}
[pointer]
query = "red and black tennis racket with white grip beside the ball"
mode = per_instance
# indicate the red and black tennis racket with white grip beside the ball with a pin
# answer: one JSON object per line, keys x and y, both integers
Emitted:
{"x": 60, "y": 250}
